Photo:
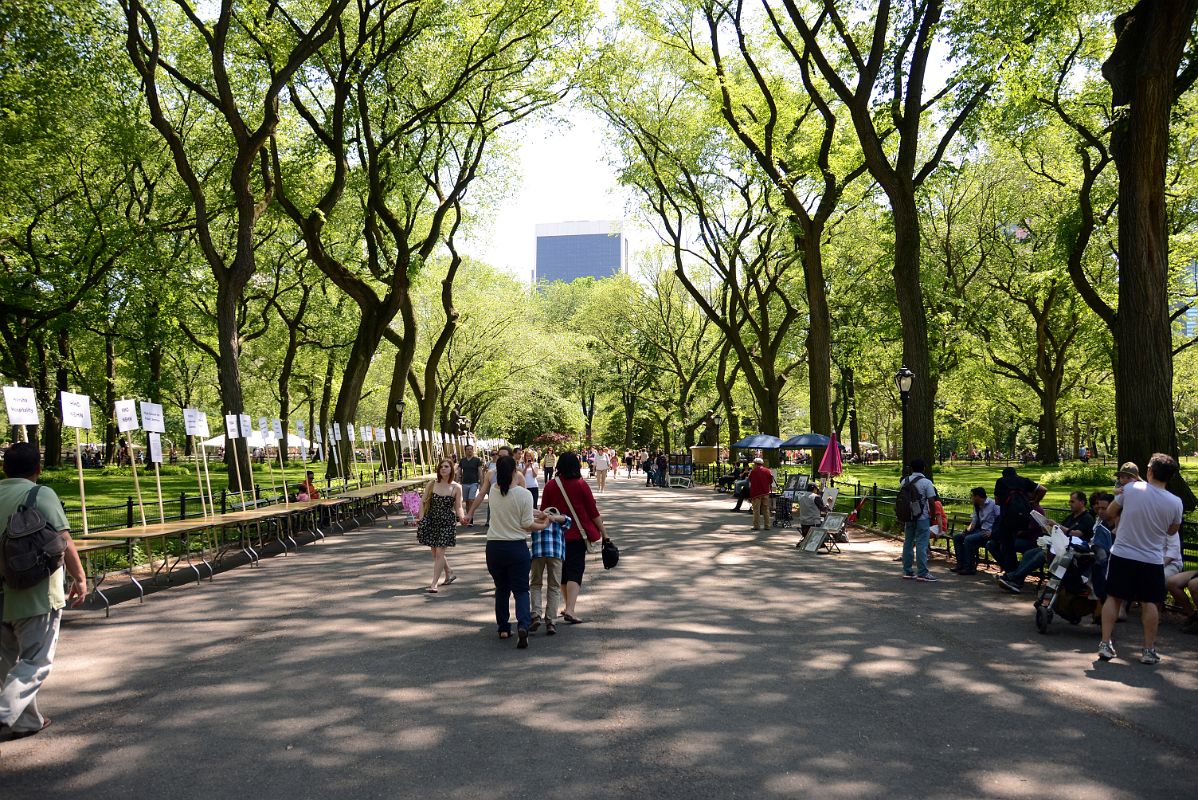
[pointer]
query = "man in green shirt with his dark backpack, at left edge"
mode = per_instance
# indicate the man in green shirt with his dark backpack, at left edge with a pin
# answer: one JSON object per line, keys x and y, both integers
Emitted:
{"x": 33, "y": 599}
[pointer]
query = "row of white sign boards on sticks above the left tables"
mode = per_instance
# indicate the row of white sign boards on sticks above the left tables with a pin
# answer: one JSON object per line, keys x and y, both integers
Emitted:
{"x": 22, "y": 407}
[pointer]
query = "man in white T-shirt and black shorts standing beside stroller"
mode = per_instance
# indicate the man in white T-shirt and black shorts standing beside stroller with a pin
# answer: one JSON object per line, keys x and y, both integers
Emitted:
{"x": 1148, "y": 518}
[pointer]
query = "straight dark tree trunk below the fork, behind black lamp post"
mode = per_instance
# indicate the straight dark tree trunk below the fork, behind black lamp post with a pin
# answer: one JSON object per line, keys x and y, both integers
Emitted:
{"x": 919, "y": 435}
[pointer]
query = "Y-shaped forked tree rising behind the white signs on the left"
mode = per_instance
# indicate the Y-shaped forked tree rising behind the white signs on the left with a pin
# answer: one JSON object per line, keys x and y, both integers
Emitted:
{"x": 217, "y": 113}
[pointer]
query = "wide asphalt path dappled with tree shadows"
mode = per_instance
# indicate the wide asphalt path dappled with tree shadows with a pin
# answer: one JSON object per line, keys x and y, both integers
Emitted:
{"x": 715, "y": 662}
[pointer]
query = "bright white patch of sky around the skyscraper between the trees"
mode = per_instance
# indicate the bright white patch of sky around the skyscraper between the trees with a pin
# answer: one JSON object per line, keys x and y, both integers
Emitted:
{"x": 562, "y": 175}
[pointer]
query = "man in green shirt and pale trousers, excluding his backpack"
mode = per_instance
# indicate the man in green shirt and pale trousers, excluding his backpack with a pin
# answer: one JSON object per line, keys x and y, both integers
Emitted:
{"x": 29, "y": 632}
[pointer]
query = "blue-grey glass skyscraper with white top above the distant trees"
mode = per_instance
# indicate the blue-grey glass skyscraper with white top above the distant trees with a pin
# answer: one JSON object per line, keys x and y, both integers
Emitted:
{"x": 580, "y": 250}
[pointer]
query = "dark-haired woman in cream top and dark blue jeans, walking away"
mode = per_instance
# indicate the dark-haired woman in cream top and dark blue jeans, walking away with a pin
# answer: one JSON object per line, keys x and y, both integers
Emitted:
{"x": 507, "y": 550}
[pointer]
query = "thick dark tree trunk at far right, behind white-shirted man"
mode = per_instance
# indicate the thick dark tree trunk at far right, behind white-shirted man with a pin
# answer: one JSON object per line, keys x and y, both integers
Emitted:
{"x": 1142, "y": 72}
